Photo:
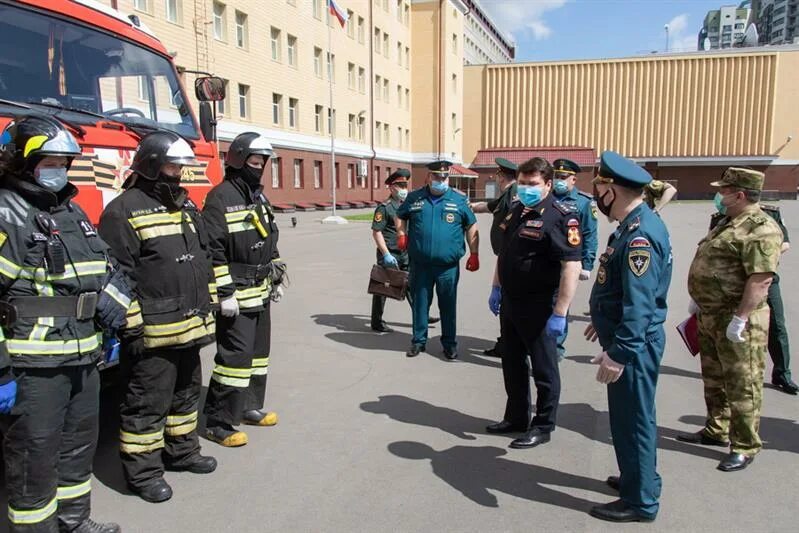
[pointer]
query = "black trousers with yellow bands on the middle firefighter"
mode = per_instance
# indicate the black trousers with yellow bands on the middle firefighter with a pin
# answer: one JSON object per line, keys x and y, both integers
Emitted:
{"x": 159, "y": 413}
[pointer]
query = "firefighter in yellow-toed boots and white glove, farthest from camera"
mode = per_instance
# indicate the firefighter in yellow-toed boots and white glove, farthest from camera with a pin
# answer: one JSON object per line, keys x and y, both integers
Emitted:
{"x": 249, "y": 273}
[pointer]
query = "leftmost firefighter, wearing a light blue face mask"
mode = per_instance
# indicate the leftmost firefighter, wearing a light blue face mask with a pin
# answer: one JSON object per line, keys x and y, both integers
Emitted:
{"x": 58, "y": 292}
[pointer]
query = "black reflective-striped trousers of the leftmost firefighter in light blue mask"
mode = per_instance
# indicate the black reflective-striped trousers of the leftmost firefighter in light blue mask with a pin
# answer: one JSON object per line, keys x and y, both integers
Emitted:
{"x": 49, "y": 442}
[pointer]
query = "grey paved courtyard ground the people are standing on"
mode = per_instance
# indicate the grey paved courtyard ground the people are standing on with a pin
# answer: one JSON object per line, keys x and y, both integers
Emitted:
{"x": 370, "y": 440}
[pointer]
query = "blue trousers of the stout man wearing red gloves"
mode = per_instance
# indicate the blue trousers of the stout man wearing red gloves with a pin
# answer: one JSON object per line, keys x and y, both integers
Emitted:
{"x": 444, "y": 279}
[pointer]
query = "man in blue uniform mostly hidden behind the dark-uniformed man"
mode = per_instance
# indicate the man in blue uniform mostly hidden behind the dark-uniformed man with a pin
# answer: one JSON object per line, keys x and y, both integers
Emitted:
{"x": 564, "y": 188}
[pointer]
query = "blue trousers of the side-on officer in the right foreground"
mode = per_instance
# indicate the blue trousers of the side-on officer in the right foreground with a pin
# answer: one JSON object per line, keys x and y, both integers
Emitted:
{"x": 634, "y": 428}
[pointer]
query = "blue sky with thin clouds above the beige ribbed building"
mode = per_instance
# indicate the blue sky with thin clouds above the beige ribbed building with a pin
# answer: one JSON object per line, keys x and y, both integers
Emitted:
{"x": 587, "y": 29}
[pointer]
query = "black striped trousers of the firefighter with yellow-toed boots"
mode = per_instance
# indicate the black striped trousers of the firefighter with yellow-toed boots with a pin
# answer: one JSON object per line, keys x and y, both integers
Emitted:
{"x": 238, "y": 381}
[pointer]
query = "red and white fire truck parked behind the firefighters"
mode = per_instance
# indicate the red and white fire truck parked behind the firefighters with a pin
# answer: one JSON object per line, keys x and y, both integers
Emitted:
{"x": 110, "y": 81}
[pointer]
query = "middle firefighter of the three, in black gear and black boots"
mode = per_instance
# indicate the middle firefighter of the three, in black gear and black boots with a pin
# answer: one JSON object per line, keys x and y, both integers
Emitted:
{"x": 157, "y": 236}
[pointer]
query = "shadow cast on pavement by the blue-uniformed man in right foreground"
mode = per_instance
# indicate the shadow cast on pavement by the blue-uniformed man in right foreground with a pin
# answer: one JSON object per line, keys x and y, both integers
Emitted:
{"x": 475, "y": 471}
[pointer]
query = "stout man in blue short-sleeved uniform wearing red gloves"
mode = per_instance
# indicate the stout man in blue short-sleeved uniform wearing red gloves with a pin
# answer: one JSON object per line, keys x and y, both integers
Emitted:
{"x": 431, "y": 224}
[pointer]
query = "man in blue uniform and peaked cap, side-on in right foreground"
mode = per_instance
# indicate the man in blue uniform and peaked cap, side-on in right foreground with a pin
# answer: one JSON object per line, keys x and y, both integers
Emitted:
{"x": 628, "y": 308}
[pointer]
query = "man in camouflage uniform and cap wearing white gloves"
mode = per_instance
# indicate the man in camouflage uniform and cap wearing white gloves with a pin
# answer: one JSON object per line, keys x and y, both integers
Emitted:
{"x": 729, "y": 281}
